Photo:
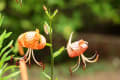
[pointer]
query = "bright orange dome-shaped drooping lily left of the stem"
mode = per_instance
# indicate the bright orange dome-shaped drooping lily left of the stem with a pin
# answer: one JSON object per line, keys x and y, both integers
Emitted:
{"x": 31, "y": 40}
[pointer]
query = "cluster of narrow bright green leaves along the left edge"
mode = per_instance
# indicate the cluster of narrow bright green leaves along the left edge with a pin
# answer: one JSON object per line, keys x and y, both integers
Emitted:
{"x": 4, "y": 53}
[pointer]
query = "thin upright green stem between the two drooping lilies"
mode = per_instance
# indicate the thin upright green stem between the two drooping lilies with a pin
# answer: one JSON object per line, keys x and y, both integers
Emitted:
{"x": 51, "y": 51}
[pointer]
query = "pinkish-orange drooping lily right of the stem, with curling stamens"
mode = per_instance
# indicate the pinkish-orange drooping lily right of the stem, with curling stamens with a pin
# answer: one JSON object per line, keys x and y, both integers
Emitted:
{"x": 78, "y": 48}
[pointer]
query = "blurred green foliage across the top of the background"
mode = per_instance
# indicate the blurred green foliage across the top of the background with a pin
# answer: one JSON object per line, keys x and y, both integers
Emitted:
{"x": 74, "y": 15}
